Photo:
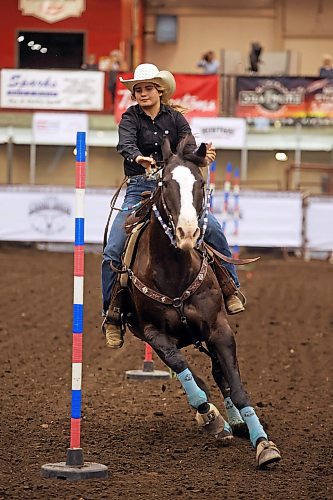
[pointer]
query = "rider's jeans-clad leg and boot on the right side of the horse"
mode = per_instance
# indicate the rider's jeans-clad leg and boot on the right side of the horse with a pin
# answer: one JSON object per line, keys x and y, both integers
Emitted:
{"x": 215, "y": 237}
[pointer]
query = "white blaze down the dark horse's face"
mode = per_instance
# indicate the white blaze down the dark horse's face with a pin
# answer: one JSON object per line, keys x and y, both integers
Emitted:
{"x": 187, "y": 216}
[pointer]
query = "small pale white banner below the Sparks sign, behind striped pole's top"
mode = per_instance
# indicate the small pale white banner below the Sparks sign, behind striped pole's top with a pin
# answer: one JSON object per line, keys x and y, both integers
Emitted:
{"x": 58, "y": 128}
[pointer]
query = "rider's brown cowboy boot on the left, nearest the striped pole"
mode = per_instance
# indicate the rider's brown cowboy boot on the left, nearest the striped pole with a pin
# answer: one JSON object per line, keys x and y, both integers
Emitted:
{"x": 112, "y": 325}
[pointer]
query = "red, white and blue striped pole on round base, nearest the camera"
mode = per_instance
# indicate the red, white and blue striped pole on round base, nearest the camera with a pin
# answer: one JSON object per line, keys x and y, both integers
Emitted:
{"x": 75, "y": 468}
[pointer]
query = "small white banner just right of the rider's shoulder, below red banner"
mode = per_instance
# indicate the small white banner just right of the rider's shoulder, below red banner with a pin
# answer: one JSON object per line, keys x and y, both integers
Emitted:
{"x": 226, "y": 133}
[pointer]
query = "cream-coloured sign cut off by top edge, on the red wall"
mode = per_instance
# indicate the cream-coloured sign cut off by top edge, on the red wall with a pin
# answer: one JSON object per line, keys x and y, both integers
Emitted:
{"x": 52, "y": 11}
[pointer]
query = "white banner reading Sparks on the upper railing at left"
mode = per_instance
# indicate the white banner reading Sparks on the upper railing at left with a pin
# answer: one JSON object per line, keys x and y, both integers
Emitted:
{"x": 52, "y": 89}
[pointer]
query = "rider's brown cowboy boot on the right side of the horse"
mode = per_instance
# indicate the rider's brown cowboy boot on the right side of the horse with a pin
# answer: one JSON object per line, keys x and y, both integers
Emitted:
{"x": 234, "y": 299}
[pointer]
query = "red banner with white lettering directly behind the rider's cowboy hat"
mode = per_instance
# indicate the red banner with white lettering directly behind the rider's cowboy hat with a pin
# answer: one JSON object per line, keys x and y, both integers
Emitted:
{"x": 197, "y": 93}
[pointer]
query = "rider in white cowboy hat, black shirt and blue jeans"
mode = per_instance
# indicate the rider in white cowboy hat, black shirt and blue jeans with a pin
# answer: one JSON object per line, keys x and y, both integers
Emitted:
{"x": 141, "y": 133}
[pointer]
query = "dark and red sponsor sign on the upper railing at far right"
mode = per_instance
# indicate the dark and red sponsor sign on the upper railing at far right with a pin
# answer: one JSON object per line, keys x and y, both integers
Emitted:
{"x": 284, "y": 97}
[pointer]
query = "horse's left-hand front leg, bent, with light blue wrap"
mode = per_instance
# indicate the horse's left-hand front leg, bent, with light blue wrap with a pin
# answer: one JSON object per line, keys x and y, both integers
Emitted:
{"x": 207, "y": 415}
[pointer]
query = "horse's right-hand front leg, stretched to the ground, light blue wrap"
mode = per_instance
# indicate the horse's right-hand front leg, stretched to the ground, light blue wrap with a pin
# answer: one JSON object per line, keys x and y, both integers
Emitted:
{"x": 222, "y": 342}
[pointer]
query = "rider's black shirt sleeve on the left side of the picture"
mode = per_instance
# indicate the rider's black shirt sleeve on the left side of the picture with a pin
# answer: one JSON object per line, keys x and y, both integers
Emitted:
{"x": 128, "y": 131}
